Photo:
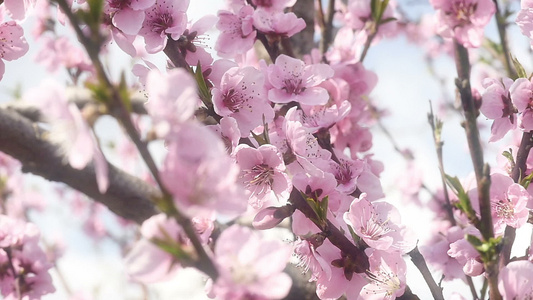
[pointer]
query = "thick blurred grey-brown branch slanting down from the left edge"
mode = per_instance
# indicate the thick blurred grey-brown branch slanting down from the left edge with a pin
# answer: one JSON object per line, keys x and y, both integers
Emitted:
{"x": 127, "y": 196}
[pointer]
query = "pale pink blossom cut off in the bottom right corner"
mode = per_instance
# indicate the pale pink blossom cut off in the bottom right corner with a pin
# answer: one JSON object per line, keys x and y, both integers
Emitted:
{"x": 515, "y": 280}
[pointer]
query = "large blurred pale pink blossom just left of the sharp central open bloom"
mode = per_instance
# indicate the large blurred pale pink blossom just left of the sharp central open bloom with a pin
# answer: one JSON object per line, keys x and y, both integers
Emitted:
{"x": 207, "y": 176}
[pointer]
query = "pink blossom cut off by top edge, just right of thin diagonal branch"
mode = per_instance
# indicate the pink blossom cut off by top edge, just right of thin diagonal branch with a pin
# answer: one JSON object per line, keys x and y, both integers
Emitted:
{"x": 127, "y": 15}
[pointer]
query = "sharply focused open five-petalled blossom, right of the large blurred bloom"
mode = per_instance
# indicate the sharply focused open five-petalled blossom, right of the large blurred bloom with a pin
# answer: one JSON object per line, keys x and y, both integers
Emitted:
{"x": 262, "y": 173}
